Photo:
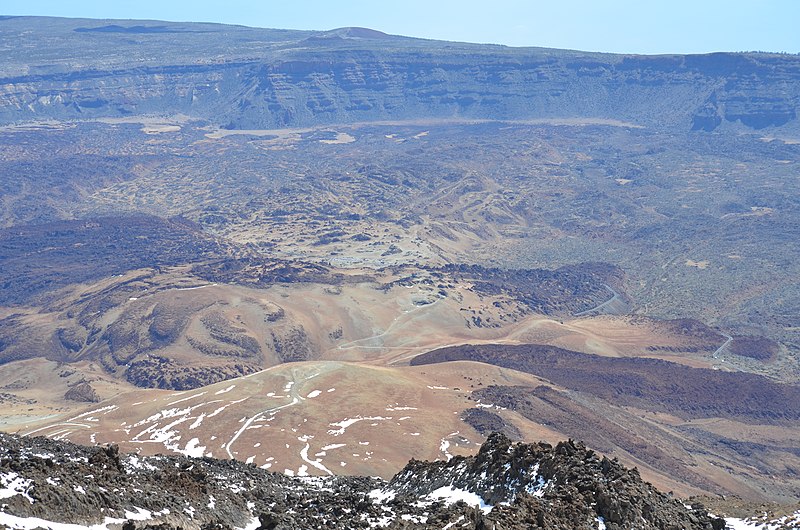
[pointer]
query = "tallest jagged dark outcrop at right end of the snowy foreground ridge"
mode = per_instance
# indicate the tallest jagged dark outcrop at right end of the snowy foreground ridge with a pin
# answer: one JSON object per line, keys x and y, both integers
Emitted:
{"x": 540, "y": 486}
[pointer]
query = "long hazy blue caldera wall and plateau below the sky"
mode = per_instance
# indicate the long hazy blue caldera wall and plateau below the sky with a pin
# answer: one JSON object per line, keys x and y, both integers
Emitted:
{"x": 244, "y": 78}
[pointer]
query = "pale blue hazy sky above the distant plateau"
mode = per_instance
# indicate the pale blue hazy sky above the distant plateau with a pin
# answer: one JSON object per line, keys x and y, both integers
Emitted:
{"x": 634, "y": 26}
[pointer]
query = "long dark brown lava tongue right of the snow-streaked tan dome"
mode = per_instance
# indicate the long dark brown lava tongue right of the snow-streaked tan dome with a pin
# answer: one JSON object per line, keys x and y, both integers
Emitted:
{"x": 651, "y": 384}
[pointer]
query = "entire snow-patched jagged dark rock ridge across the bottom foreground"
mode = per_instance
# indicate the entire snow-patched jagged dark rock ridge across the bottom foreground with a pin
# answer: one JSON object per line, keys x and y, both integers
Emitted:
{"x": 505, "y": 486}
